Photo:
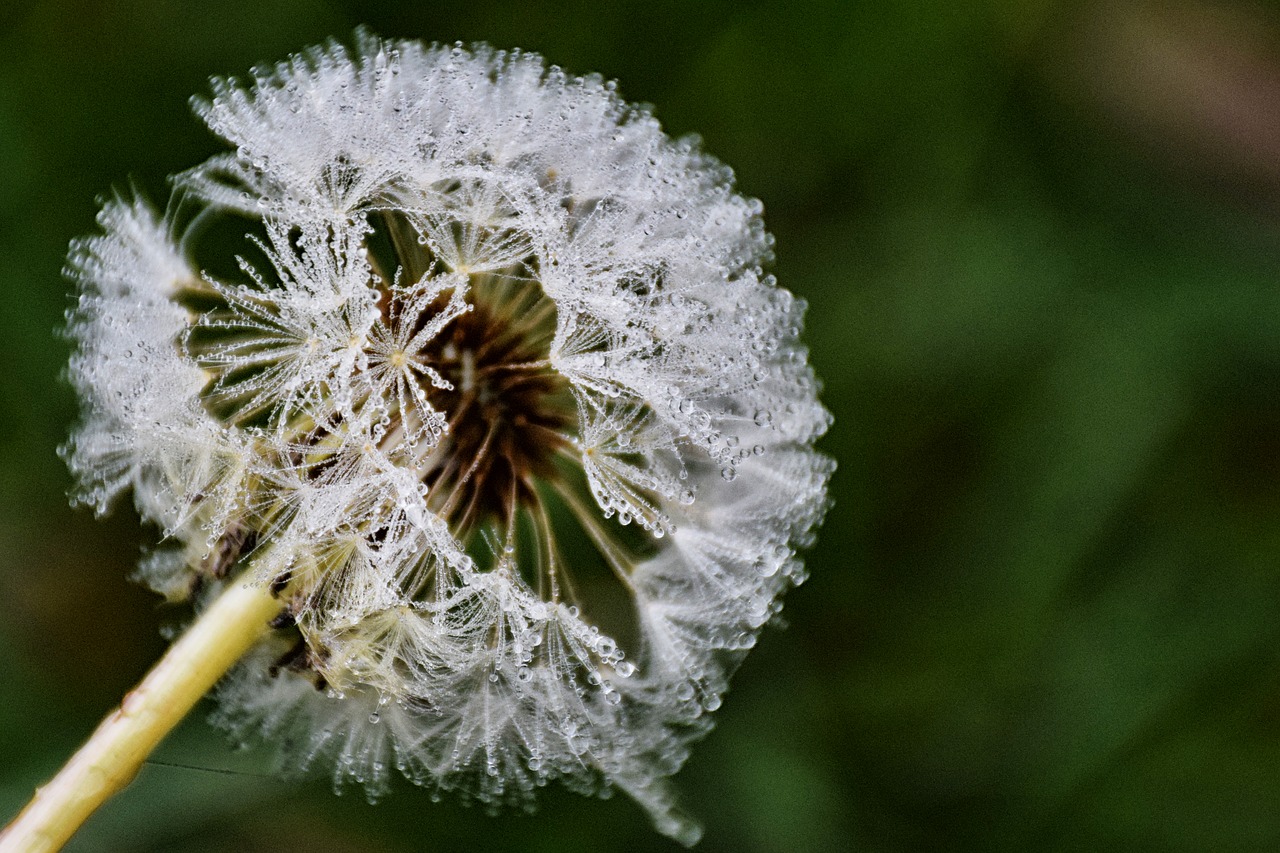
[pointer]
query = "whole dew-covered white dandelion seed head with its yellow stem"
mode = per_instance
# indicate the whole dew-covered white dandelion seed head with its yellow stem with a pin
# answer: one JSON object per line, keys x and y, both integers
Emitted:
{"x": 487, "y": 454}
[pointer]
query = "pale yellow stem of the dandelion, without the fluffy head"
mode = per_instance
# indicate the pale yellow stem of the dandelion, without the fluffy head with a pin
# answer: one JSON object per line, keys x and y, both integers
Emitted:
{"x": 112, "y": 758}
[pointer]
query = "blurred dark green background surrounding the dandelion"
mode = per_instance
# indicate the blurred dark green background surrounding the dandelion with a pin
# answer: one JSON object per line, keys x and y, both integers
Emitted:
{"x": 1041, "y": 244}
